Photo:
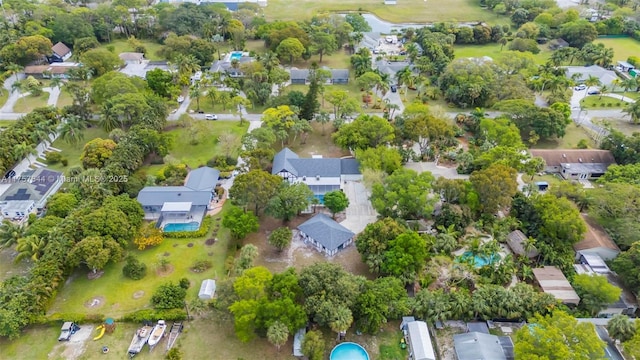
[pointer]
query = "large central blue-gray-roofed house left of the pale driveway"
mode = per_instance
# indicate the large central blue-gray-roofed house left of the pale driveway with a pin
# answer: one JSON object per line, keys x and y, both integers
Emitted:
{"x": 322, "y": 175}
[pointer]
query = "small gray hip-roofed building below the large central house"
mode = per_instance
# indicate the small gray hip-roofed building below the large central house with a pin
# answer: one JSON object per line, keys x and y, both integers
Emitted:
{"x": 326, "y": 234}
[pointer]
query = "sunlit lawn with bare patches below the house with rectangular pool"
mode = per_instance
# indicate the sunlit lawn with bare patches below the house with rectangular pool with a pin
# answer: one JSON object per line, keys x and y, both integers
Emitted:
{"x": 114, "y": 295}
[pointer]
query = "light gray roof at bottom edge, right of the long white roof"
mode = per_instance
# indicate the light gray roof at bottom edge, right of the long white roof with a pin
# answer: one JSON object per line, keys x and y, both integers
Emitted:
{"x": 478, "y": 346}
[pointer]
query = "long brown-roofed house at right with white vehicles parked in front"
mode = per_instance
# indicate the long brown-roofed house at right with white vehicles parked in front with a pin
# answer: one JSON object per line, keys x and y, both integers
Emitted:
{"x": 575, "y": 164}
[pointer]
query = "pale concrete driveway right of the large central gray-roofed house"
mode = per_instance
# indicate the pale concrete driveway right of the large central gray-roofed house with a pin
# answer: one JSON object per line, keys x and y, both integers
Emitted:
{"x": 360, "y": 213}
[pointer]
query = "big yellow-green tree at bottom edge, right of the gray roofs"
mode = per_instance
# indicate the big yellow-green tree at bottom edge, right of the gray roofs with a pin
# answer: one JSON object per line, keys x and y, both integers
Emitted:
{"x": 558, "y": 336}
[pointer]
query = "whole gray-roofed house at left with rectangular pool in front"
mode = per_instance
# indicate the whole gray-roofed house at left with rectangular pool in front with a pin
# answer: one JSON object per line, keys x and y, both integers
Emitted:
{"x": 187, "y": 203}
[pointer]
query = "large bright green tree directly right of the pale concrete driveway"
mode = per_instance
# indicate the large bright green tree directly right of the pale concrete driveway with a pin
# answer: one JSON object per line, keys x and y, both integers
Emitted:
{"x": 404, "y": 195}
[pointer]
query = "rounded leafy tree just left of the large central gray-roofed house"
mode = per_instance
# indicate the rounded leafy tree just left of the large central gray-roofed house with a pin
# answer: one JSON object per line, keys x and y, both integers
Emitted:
{"x": 254, "y": 188}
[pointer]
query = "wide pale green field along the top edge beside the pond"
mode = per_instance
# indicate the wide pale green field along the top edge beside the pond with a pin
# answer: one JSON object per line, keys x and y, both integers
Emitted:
{"x": 411, "y": 11}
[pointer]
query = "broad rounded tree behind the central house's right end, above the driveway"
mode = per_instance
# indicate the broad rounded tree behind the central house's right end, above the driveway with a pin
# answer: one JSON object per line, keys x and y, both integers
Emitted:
{"x": 366, "y": 131}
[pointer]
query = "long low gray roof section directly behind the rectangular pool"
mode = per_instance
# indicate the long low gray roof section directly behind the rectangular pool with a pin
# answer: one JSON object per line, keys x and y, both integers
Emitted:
{"x": 158, "y": 195}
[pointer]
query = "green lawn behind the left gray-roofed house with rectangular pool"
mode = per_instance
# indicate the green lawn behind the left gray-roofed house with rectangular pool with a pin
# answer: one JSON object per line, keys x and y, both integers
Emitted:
{"x": 197, "y": 155}
